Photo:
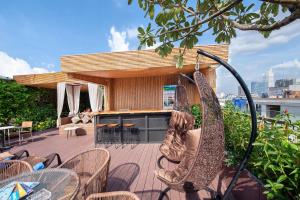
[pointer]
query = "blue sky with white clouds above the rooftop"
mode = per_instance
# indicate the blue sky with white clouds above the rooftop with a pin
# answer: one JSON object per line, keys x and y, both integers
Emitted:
{"x": 34, "y": 34}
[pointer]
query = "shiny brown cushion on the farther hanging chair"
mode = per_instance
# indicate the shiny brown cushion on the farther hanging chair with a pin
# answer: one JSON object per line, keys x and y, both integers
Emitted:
{"x": 173, "y": 146}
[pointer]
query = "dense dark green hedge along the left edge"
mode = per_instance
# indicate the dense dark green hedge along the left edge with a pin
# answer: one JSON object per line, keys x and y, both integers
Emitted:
{"x": 20, "y": 103}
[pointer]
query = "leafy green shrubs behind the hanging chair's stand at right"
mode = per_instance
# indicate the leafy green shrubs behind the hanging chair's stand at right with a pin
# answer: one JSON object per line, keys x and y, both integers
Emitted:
{"x": 275, "y": 159}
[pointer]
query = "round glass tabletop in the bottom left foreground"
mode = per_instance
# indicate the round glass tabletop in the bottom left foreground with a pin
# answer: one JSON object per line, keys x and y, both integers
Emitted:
{"x": 61, "y": 183}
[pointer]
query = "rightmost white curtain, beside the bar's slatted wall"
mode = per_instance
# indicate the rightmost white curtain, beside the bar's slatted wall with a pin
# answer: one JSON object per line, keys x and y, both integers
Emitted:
{"x": 96, "y": 96}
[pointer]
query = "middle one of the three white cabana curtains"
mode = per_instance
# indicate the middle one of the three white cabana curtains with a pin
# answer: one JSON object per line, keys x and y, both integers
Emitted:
{"x": 73, "y": 97}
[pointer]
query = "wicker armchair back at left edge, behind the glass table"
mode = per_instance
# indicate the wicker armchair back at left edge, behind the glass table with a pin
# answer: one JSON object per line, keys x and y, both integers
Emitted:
{"x": 10, "y": 168}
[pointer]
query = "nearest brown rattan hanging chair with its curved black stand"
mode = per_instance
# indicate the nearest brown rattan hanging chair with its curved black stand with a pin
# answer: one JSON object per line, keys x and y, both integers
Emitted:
{"x": 204, "y": 147}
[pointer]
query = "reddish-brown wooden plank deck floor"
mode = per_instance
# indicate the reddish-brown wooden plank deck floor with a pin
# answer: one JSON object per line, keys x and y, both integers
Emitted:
{"x": 132, "y": 169}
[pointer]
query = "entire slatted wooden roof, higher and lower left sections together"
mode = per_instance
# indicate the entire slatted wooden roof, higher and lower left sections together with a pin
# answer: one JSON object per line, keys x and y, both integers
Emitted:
{"x": 100, "y": 67}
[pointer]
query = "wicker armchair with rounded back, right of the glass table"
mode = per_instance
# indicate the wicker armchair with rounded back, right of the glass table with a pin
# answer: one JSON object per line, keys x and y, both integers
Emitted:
{"x": 92, "y": 168}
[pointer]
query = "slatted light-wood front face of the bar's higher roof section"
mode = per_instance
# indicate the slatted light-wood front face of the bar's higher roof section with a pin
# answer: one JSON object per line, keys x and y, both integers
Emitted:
{"x": 143, "y": 60}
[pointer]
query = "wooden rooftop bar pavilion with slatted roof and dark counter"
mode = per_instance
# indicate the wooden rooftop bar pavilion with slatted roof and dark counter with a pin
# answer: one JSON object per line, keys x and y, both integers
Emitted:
{"x": 136, "y": 89}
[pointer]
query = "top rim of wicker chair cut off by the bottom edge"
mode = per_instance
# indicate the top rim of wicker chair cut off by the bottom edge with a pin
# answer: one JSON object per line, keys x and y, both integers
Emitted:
{"x": 119, "y": 195}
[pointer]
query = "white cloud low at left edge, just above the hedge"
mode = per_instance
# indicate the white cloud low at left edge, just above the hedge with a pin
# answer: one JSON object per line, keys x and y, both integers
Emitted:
{"x": 10, "y": 66}
